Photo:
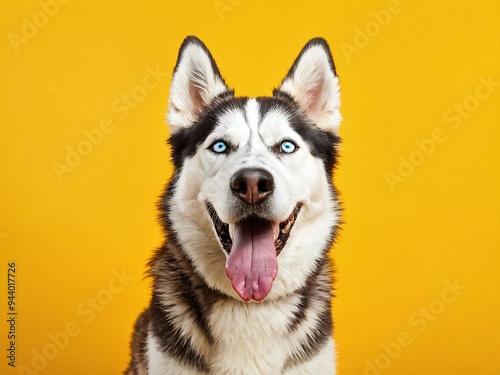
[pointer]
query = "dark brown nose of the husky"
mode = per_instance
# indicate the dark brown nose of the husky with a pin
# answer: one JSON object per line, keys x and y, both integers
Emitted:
{"x": 252, "y": 185}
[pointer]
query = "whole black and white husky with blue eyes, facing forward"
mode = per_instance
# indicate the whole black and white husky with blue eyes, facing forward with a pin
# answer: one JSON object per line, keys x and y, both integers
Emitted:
{"x": 242, "y": 284}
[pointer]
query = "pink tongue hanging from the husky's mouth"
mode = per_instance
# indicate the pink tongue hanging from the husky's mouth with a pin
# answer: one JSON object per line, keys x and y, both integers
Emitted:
{"x": 252, "y": 265}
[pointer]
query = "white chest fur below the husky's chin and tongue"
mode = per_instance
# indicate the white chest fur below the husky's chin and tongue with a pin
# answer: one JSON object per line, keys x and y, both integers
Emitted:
{"x": 250, "y": 340}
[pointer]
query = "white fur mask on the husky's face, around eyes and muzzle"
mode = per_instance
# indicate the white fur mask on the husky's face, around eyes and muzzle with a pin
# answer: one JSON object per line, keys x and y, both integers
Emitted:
{"x": 298, "y": 177}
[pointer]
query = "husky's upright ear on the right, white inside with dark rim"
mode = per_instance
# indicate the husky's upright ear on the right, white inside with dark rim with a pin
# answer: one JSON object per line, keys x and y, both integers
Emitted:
{"x": 313, "y": 83}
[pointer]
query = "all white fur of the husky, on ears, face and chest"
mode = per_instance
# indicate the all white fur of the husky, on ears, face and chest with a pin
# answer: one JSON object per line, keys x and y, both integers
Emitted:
{"x": 251, "y": 338}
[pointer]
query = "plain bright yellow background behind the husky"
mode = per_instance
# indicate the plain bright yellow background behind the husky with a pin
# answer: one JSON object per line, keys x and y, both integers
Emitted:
{"x": 403, "y": 243}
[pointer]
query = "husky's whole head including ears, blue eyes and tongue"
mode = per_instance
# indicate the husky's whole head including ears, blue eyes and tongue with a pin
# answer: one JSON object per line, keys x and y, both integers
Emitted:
{"x": 252, "y": 192}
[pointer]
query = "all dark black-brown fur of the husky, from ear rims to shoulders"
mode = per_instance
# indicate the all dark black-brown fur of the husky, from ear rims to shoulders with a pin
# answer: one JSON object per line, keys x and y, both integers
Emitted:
{"x": 171, "y": 265}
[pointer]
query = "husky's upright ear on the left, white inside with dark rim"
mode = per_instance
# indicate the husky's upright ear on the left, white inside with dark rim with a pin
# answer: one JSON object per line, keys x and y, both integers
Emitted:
{"x": 195, "y": 83}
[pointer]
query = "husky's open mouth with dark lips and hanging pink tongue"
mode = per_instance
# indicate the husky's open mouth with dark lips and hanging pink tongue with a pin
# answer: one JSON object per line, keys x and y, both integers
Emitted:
{"x": 252, "y": 245}
